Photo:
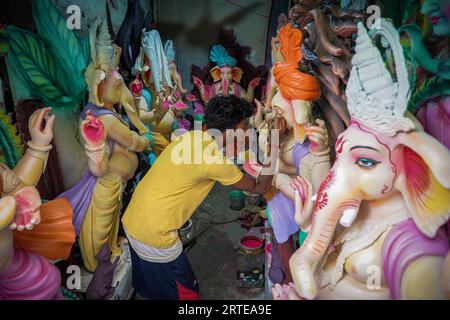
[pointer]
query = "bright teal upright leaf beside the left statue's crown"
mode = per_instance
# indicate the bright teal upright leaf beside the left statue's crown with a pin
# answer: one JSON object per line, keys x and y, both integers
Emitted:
{"x": 63, "y": 44}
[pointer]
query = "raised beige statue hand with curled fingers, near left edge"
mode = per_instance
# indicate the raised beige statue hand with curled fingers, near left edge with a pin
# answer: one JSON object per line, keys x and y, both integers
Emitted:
{"x": 40, "y": 126}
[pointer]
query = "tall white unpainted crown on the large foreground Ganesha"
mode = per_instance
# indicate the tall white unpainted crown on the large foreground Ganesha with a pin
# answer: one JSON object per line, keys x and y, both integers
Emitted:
{"x": 373, "y": 98}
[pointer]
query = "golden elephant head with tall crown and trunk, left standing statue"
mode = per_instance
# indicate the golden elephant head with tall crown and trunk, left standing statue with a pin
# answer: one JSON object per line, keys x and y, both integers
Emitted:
{"x": 105, "y": 84}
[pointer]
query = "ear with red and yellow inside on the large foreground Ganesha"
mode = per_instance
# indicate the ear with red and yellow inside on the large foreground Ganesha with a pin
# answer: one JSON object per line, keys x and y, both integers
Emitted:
{"x": 425, "y": 180}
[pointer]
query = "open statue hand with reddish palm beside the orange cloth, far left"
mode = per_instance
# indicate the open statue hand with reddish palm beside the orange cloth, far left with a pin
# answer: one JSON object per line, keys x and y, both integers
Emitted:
{"x": 28, "y": 202}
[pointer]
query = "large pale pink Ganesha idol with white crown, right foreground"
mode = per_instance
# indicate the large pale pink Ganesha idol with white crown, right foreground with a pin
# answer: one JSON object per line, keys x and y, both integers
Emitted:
{"x": 376, "y": 230}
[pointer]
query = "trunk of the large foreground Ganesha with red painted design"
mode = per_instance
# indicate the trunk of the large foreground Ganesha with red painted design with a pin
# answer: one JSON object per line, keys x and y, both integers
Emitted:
{"x": 335, "y": 202}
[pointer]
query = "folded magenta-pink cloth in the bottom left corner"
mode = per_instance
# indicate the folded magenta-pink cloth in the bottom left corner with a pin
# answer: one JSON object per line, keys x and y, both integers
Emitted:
{"x": 30, "y": 277}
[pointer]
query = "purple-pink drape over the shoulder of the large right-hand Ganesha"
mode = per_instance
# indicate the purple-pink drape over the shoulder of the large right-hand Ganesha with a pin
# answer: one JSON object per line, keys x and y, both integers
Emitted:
{"x": 404, "y": 245}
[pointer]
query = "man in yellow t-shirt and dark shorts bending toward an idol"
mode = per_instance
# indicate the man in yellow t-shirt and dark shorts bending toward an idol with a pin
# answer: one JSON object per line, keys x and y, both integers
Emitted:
{"x": 165, "y": 199}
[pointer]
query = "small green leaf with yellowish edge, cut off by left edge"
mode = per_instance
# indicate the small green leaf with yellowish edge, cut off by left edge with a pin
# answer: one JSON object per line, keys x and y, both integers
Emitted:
{"x": 11, "y": 145}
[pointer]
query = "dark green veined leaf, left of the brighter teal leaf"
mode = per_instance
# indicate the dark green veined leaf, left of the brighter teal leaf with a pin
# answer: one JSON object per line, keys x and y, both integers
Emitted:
{"x": 36, "y": 65}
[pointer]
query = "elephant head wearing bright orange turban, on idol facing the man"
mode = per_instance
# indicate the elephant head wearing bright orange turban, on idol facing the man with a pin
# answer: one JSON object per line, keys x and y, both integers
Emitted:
{"x": 296, "y": 90}
